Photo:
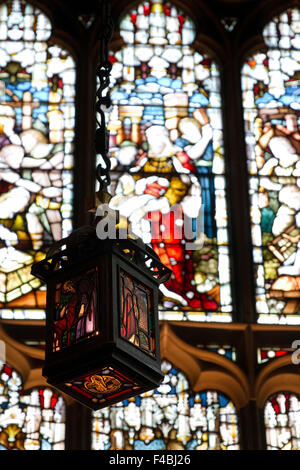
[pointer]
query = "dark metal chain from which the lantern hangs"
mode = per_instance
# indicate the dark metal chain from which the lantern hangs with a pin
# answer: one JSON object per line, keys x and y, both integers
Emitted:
{"x": 103, "y": 97}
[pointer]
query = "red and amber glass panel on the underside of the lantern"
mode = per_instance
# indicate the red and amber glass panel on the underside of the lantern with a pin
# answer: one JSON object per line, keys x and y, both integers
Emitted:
{"x": 101, "y": 385}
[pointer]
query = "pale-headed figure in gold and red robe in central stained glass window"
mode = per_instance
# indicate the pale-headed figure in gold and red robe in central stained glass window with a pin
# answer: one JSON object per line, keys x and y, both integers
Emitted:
{"x": 158, "y": 195}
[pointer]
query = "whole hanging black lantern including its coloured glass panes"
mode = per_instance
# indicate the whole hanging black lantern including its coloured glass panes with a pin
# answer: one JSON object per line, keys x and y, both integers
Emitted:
{"x": 102, "y": 332}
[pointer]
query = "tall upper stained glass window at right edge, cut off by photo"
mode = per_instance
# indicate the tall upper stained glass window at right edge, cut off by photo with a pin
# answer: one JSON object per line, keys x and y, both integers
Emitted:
{"x": 270, "y": 84}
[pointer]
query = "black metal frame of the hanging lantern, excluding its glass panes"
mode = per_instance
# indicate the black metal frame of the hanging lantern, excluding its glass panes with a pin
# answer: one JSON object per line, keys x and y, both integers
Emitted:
{"x": 105, "y": 347}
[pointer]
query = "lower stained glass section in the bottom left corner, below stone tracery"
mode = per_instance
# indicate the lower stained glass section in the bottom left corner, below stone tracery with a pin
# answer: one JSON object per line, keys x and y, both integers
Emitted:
{"x": 29, "y": 421}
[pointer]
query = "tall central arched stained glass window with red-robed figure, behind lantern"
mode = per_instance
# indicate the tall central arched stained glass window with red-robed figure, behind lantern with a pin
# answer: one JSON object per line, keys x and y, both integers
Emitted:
{"x": 166, "y": 148}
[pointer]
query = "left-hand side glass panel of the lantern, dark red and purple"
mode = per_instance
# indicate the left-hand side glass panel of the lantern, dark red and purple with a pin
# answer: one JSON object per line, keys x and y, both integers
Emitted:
{"x": 75, "y": 309}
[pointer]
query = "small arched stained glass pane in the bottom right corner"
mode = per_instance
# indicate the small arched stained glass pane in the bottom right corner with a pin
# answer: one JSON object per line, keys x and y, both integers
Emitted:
{"x": 282, "y": 421}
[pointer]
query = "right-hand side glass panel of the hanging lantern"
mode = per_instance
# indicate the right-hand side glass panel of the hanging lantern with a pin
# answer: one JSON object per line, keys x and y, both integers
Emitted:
{"x": 136, "y": 322}
